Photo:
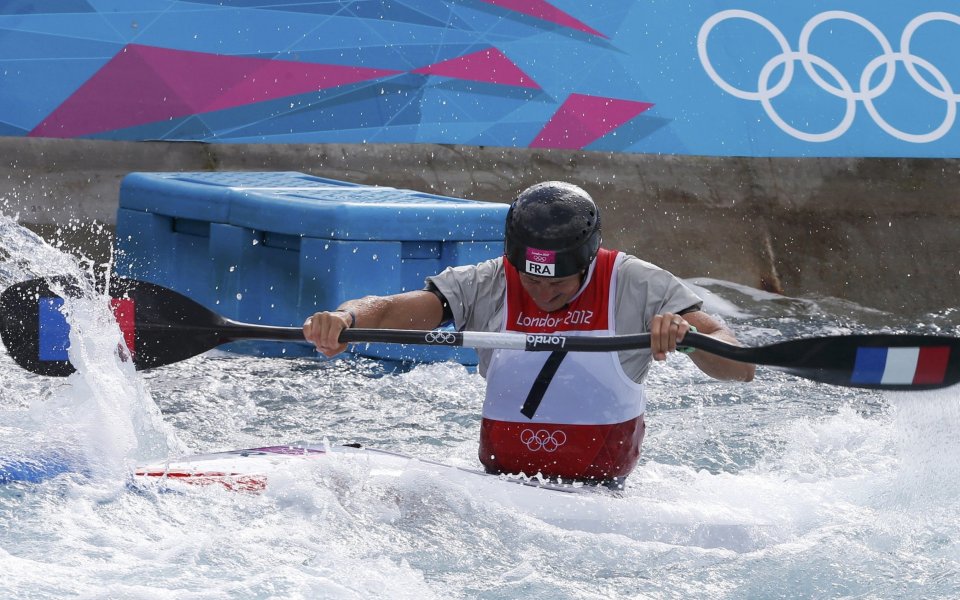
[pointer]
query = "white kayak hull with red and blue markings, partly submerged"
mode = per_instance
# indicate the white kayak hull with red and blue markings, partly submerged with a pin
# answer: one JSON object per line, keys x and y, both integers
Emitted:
{"x": 285, "y": 470}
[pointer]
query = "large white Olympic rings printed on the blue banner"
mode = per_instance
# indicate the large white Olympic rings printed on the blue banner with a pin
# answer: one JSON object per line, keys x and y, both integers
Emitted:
{"x": 842, "y": 89}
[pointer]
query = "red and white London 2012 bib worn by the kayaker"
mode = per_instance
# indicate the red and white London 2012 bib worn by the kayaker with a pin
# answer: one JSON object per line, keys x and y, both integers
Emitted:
{"x": 588, "y": 424}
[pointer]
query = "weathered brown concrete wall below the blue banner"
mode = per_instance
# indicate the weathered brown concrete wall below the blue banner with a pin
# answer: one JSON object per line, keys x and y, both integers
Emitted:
{"x": 880, "y": 232}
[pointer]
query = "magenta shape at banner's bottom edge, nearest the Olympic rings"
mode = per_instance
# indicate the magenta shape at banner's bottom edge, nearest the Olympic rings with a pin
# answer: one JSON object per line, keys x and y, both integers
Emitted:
{"x": 583, "y": 119}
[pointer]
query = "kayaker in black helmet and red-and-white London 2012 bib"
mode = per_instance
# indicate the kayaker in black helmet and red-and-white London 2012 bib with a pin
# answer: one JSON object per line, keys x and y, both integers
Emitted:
{"x": 570, "y": 416}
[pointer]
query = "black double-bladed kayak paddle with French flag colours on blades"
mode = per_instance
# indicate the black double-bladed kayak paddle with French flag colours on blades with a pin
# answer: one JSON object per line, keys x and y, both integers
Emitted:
{"x": 161, "y": 327}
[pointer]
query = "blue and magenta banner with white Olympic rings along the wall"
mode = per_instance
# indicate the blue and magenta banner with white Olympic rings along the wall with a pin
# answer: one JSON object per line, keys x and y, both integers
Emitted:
{"x": 745, "y": 78}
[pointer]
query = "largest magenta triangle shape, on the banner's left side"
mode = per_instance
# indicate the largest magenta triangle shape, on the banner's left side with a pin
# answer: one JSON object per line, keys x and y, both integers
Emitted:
{"x": 145, "y": 84}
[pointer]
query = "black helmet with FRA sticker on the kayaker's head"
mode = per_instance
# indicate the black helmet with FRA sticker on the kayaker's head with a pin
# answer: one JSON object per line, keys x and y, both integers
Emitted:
{"x": 553, "y": 230}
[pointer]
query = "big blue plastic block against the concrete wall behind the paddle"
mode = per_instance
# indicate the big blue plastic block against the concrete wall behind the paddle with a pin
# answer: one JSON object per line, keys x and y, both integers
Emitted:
{"x": 275, "y": 247}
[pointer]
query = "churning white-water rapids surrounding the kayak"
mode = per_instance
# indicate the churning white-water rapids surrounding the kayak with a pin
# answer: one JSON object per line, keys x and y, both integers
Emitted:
{"x": 810, "y": 491}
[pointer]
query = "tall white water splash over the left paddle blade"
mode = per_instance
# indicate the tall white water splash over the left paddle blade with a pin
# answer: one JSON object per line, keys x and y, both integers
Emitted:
{"x": 103, "y": 414}
